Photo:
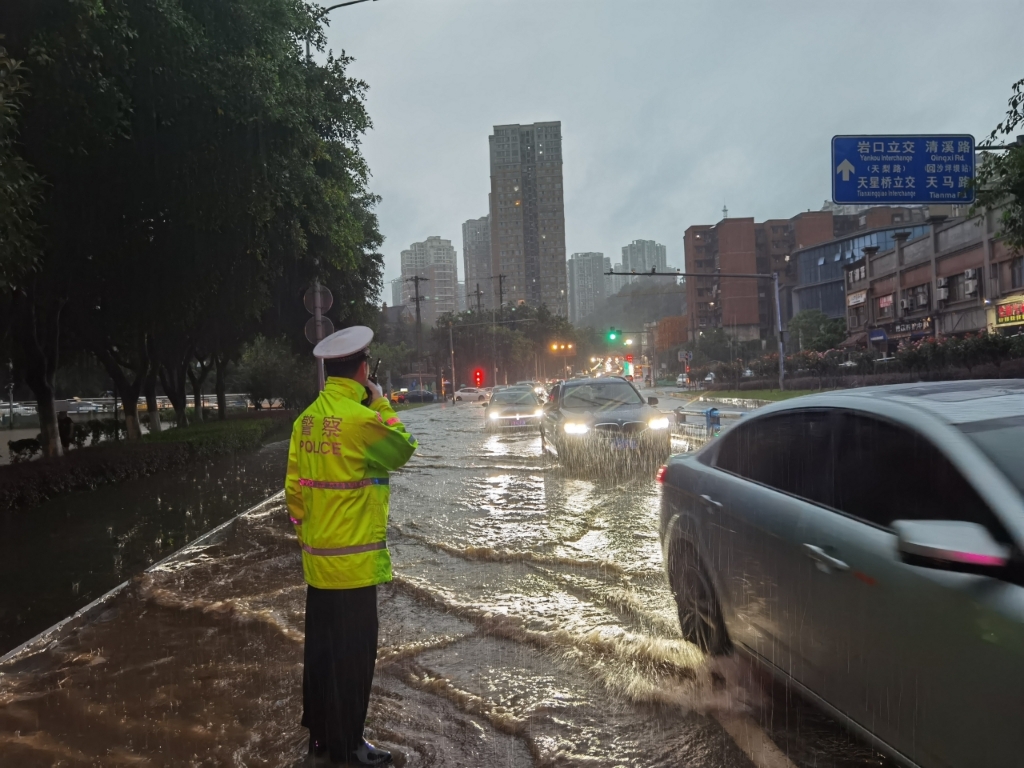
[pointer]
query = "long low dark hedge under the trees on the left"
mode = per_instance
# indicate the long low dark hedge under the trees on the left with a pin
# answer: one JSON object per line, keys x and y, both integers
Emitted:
{"x": 31, "y": 484}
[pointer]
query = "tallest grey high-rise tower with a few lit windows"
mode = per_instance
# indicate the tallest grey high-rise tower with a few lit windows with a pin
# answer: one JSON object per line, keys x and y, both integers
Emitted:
{"x": 528, "y": 216}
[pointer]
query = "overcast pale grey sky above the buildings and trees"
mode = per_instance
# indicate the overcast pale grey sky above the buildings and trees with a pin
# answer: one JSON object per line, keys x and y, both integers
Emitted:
{"x": 670, "y": 109}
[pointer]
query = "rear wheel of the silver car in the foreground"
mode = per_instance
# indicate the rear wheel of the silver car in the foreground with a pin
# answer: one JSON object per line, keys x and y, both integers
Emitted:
{"x": 698, "y": 605}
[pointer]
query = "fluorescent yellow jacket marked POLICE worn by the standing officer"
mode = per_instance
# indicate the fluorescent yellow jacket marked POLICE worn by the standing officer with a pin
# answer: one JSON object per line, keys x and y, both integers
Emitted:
{"x": 337, "y": 486}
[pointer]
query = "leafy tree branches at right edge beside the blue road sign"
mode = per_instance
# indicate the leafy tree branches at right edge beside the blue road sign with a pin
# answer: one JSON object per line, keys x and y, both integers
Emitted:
{"x": 1000, "y": 181}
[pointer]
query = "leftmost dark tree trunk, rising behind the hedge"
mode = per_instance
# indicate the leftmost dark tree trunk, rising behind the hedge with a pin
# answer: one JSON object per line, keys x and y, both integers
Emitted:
{"x": 36, "y": 347}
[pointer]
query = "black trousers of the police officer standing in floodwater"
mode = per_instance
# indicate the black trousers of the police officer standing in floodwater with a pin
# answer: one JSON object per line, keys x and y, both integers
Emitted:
{"x": 340, "y": 655}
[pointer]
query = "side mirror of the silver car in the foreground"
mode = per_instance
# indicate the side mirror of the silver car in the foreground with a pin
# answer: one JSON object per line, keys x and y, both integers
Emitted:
{"x": 950, "y": 545}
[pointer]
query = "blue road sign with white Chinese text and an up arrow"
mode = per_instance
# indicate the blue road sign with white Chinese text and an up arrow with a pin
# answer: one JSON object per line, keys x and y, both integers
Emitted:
{"x": 903, "y": 170}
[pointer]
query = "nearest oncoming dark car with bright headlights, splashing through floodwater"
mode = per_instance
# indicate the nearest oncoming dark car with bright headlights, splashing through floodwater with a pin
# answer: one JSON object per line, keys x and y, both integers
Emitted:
{"x": 603, "y": 420}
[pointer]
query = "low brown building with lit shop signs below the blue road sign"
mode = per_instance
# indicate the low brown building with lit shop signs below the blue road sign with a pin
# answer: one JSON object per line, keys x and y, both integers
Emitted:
{"x": 954, "y": 278}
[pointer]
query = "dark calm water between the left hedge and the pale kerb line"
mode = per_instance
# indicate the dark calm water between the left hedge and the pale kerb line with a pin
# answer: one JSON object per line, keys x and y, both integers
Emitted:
{"x": 64, "y": 554}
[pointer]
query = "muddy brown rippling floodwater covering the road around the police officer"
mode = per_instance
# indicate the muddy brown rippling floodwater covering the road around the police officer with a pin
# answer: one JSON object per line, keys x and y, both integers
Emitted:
{"x": 530, "y": 624}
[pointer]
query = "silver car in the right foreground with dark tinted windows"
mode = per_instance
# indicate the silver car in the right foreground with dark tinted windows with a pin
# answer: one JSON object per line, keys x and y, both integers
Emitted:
{"x": 867, "y": 546}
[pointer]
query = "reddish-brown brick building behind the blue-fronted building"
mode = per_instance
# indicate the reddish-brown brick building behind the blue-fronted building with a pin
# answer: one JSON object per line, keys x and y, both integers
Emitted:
{"x": 746, "y": 308}
